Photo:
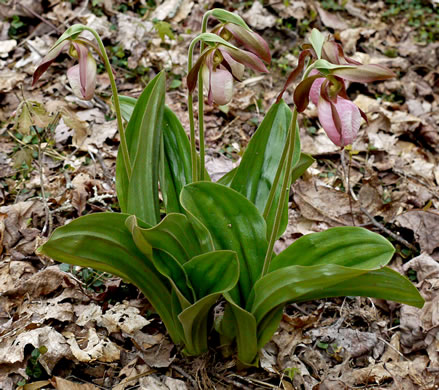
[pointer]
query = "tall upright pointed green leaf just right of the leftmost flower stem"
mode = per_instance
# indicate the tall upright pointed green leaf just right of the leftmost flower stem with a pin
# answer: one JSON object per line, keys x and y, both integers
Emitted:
{"x": 142, "y": 193}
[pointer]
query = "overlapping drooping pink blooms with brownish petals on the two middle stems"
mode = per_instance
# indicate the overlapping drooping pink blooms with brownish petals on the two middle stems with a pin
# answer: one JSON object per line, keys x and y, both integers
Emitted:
{"x": 222, "y": 64}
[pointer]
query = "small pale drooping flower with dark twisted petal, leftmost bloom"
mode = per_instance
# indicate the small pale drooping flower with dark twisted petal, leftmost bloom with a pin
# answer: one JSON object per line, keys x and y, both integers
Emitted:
{"x": 82, "y": 77}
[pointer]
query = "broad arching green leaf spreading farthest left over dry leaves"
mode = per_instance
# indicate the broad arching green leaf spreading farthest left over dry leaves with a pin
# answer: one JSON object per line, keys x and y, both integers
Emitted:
{"x": 102, "y": 241}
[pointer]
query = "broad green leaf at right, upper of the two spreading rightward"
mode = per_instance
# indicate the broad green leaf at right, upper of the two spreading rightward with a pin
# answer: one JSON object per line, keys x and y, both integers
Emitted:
{"x": 347, "y": 246}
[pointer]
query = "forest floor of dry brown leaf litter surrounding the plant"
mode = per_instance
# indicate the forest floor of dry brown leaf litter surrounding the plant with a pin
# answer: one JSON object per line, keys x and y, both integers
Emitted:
{"x": 67, "y": 327}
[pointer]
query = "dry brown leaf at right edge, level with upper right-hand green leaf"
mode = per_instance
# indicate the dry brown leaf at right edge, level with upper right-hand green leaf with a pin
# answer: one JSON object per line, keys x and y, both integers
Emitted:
{"x": 425, "y": 227}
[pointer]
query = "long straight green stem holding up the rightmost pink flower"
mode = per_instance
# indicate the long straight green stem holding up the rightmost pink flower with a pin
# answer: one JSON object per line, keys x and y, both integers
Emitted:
{"x": 283, "y": 192}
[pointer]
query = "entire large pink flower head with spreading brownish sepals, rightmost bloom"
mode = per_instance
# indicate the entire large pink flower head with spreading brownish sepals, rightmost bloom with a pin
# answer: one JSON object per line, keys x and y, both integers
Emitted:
{"x": 325, "y": 86}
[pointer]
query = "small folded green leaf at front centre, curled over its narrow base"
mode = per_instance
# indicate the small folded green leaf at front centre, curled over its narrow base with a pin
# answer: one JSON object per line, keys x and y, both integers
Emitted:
{"x": 211, "y": 274}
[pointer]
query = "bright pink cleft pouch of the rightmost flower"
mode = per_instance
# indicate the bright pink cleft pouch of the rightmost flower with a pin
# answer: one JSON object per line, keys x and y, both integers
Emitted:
{"x": 350, "y": 118}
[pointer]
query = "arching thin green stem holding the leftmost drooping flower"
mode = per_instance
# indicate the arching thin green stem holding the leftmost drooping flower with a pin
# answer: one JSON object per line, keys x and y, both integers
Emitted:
{"x": 123, "y": 141}
